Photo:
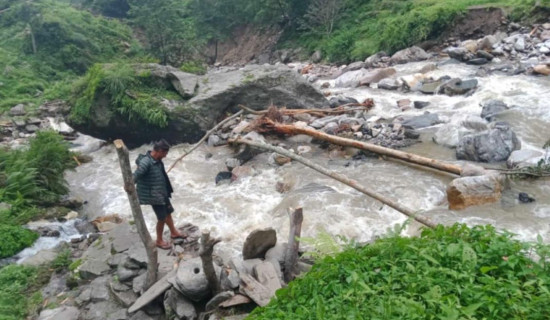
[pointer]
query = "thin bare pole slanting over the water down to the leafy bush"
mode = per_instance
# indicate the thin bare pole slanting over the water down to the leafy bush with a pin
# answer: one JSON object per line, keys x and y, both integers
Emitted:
{"x": 339, "y": 177}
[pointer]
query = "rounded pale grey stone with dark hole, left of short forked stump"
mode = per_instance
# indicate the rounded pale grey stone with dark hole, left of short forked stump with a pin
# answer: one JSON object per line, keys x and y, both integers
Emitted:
{"x": 190, "y": 279}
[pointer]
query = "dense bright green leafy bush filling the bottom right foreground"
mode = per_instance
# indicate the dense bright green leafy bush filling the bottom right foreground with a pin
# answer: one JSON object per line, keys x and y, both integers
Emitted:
{"x": 452, "y": 272}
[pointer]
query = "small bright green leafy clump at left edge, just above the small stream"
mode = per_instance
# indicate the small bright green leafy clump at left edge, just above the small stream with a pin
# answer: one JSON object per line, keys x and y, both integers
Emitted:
{"x": 14, "y": 239}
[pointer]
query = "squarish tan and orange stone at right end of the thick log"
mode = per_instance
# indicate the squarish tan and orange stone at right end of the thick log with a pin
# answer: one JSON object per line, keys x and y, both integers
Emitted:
{"x": 471, "y": 191}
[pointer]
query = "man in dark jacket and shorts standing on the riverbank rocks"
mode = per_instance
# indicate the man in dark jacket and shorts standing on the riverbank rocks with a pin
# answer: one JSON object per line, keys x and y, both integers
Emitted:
{"x": 154, "y": 188}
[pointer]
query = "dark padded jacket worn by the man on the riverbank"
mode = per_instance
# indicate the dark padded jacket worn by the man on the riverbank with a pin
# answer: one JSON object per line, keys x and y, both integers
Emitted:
{"x": 153, "y": 185}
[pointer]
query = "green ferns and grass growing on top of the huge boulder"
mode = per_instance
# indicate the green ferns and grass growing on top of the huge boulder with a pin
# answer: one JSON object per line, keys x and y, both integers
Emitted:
{"x": 130, "y": 94}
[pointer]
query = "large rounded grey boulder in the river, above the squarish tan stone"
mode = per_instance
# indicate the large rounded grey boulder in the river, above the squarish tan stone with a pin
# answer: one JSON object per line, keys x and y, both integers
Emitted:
{"x": 493, "y": 145}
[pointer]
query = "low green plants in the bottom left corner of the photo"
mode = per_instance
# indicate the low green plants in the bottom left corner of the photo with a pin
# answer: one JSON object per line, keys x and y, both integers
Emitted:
{"x": 19, "y": 290}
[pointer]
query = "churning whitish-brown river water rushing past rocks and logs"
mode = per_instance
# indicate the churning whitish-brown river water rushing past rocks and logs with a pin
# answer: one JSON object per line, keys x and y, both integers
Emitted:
{"x": 233, "y": 210}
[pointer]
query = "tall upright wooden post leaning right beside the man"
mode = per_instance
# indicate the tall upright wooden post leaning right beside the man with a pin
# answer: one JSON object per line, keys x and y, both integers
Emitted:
{"x": 129, "y": 187}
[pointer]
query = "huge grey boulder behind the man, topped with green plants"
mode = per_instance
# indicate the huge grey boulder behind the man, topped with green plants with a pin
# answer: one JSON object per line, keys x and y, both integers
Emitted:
{"x": 213, "y": 96}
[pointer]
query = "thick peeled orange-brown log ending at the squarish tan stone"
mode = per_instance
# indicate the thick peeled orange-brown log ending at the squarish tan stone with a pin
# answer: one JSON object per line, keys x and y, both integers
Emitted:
{"x": 270, "y": 126}
